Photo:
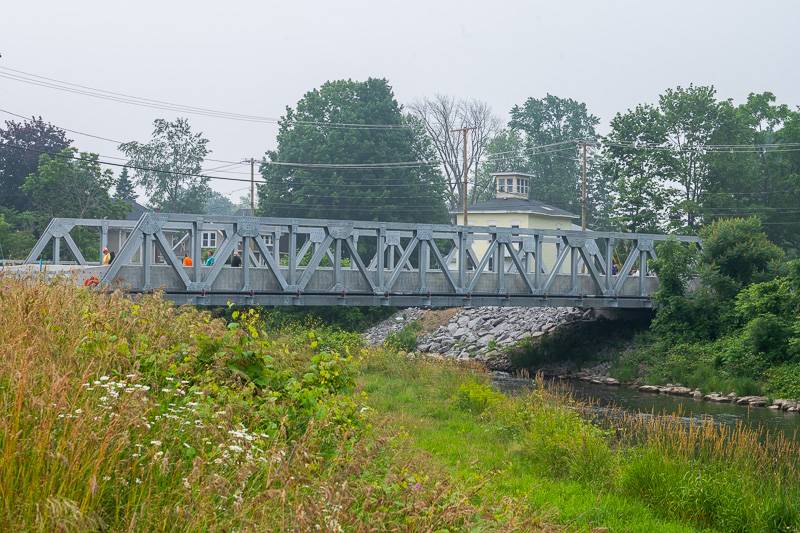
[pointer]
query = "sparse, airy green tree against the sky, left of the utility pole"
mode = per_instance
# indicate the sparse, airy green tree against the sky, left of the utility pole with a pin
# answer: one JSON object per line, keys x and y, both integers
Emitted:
{"x": 168, "y": 167}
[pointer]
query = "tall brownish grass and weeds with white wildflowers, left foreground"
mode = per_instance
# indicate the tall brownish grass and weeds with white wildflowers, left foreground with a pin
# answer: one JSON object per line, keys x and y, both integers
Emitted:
{"x": 123, "y": 415}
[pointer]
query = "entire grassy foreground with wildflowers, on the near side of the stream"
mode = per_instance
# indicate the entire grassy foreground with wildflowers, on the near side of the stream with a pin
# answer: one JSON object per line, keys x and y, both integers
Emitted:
{"x": 139, "y": 416}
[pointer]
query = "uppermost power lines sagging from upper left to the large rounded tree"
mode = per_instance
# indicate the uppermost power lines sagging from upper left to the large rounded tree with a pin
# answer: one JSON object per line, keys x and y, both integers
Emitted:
{"x": 119, "y": 97}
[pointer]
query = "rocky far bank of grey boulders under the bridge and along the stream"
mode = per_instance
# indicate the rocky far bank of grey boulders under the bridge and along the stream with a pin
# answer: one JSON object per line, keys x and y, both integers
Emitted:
{"x": 565, "y": 344}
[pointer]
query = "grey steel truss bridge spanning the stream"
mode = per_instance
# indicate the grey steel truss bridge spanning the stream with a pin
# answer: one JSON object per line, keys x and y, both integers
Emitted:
{"x": 337, "y": 262}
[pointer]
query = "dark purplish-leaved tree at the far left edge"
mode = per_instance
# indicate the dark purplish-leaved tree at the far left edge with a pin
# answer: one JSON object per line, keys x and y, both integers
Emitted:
{"x": 21, "y": 144}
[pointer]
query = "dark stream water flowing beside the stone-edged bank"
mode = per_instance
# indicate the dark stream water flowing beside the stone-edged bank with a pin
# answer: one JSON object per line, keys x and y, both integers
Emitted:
{"x": 604, "y": 398}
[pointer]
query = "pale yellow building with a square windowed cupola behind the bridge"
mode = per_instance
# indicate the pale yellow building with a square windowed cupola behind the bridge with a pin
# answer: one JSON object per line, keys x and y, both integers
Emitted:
{"x": 512, "y": 208}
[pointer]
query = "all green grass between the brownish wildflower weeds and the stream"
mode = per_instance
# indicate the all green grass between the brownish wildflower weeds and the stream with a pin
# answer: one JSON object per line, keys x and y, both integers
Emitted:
{"x": 539, "y": 452}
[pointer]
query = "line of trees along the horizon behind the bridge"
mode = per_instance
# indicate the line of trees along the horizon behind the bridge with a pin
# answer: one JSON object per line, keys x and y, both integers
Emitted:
{"x": 349, "y": 150}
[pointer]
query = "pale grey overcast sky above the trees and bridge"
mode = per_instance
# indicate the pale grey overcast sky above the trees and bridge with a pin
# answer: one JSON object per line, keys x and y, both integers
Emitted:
{"x": 257, "y": 57}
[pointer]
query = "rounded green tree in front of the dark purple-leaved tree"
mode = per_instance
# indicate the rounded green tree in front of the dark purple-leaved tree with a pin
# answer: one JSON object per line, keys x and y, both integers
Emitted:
{"x": 71, "y": 185}
